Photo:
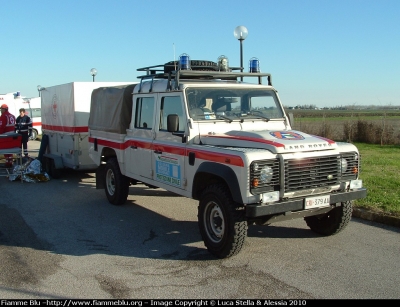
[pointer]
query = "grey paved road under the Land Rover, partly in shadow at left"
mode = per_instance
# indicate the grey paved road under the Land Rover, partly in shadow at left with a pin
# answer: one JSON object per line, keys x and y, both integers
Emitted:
{"x": 62, "y": 239}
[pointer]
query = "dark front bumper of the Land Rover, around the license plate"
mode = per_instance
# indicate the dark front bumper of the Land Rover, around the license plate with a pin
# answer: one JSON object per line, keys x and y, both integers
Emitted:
{"x": 259, "y": 210}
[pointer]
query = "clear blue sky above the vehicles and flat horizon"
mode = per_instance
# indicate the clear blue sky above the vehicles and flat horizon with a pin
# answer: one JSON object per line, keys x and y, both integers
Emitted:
{"x": 320, "y": 52}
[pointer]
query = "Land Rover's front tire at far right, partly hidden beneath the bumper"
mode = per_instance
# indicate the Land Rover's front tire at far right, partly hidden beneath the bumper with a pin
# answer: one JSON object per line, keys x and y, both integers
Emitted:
{"x": 331, "y": 222}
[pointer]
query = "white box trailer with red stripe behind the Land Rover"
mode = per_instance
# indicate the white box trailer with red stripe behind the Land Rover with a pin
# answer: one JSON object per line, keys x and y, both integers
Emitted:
{"x": 65, "y": 116}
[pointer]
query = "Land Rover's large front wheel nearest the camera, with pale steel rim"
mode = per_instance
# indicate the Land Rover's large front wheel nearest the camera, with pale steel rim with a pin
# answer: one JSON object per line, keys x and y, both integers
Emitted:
{"x": 222, "y": 222}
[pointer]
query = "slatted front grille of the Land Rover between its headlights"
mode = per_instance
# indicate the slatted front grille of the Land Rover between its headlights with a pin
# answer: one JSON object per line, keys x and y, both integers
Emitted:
{"x": 311, "y": 172}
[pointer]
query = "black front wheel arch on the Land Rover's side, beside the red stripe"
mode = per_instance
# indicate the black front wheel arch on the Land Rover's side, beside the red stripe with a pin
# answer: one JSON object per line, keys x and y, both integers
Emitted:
{"x": 209, "y": 173}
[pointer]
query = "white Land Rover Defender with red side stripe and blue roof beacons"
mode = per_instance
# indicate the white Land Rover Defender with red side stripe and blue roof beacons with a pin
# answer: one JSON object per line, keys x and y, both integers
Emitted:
{"x": 194, "y": 128}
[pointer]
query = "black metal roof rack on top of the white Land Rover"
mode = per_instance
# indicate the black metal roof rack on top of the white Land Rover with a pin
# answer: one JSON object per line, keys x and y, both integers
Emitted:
{"x": 205, "y": 70}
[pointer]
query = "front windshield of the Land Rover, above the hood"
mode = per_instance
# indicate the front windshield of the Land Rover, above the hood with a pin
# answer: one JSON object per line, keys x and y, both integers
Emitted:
{"x": 232, "y": 104}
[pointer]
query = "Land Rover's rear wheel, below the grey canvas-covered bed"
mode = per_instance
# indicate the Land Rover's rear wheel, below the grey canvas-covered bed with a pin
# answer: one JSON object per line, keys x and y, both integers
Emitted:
{"x": 116, "y": 185}
